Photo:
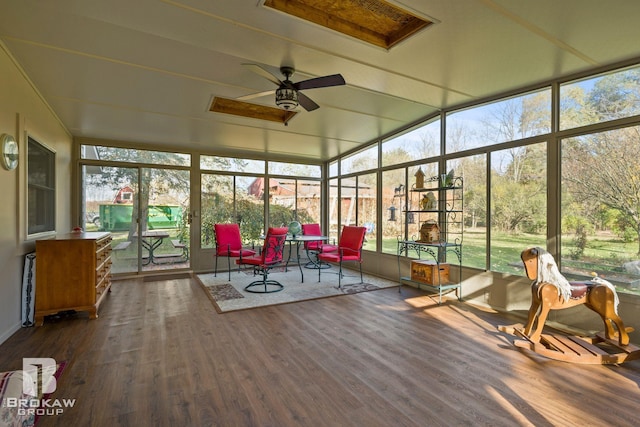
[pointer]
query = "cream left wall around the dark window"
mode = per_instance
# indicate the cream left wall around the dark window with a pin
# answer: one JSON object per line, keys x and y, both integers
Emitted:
{"x": 23, "y": 111}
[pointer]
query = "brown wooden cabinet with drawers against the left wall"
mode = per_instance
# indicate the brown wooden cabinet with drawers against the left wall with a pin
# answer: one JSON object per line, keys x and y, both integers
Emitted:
{"x": 73, "y": 272}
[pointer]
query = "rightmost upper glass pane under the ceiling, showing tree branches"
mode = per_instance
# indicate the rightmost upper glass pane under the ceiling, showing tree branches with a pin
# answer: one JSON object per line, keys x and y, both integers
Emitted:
{"x": 601, "y": 98}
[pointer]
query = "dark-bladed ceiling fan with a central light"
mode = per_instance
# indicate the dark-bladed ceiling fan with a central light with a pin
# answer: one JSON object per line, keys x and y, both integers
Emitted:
{"x": 288, "y": 95}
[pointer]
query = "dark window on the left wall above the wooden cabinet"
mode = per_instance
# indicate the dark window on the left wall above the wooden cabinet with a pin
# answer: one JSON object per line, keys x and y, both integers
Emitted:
{"x": 41, "y": 198}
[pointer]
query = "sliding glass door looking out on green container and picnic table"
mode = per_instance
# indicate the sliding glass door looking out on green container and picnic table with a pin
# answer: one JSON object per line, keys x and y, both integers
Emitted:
{"x": 147, "y": 212}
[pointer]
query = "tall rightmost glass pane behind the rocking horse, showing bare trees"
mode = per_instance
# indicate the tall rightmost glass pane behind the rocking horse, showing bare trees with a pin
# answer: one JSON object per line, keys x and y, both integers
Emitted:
{"x": 600, "y": 207}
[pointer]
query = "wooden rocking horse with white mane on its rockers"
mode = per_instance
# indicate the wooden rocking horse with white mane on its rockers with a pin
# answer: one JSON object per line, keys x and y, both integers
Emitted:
{"x": 551, "y": 291}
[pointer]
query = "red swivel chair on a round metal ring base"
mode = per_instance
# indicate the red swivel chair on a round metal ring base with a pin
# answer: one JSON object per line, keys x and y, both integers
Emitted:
{"x": 271, "y": 256}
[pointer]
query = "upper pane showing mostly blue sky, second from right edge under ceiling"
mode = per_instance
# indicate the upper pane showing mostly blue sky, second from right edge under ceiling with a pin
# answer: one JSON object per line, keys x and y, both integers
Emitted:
{"x": 501, "y": 121}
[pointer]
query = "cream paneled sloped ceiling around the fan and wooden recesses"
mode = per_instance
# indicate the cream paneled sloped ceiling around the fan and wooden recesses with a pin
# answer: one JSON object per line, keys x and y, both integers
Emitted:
{"x": 145, "y": 71}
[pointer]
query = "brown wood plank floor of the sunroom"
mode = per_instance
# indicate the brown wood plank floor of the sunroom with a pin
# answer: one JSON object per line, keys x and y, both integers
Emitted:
{"x": 160, "y": 355}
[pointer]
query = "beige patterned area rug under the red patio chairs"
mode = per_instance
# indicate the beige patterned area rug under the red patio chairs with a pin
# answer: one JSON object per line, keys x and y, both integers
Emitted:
{"x": 230, "y": 296}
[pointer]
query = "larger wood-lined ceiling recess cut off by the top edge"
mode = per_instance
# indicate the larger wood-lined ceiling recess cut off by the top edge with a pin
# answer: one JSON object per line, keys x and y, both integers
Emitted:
{"x": 373, "y": 21}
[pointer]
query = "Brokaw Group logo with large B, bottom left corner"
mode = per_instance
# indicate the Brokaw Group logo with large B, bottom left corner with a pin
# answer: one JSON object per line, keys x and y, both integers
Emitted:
{"x": 38, "y": 380}
